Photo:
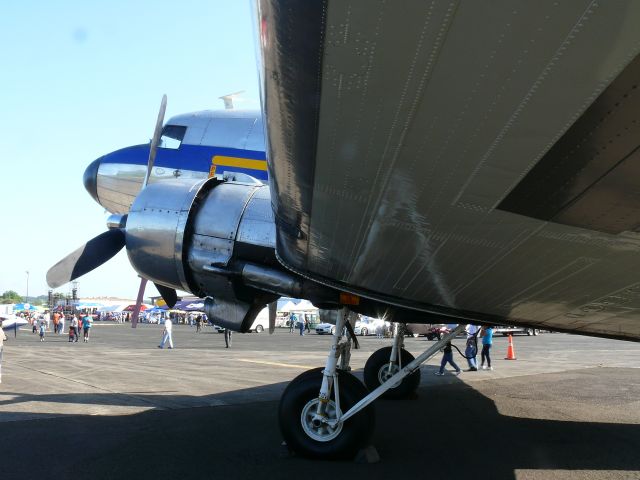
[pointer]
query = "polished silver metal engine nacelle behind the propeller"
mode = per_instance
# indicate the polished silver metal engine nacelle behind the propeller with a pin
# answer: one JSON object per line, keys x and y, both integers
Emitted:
{"x": 183, "y": 234}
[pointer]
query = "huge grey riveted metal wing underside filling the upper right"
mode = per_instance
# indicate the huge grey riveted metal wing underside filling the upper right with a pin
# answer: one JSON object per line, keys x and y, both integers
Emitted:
{"x": 477, "y": 160}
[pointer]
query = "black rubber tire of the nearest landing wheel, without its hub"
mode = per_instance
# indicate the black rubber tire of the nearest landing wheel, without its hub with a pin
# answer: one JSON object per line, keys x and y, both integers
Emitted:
{"x": 356, "y": 432}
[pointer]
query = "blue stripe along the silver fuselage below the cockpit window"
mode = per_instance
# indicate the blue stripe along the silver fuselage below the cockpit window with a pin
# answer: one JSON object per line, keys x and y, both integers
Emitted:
{"x": 187, "y": 157}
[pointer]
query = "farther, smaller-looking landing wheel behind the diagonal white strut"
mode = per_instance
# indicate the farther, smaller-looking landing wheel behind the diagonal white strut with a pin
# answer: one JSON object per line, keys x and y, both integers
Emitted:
{"x": 379, "y": 369}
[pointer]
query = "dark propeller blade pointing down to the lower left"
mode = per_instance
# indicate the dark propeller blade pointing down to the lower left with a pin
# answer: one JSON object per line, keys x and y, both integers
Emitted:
{"x": 89, "y": 256}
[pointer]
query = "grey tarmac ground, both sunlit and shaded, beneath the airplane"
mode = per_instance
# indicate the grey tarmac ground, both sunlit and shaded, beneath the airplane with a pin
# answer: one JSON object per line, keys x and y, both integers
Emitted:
{"x": 119, "y": 407}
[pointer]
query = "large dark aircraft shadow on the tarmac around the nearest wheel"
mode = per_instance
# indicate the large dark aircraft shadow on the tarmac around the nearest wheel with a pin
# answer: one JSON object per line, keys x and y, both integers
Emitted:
{"x": 446, "y": 431}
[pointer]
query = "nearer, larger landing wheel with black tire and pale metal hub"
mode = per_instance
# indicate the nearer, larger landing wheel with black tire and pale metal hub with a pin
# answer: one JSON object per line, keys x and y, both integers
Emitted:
{"x": 308, "y": 433}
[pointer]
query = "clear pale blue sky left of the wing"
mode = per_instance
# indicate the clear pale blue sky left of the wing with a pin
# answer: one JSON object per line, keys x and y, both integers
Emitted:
{"x": 80, "y": 79}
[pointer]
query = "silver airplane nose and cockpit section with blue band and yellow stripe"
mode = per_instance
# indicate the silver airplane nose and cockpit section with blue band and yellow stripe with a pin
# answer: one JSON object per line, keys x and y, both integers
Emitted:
{"x": 195, "y": 145}
